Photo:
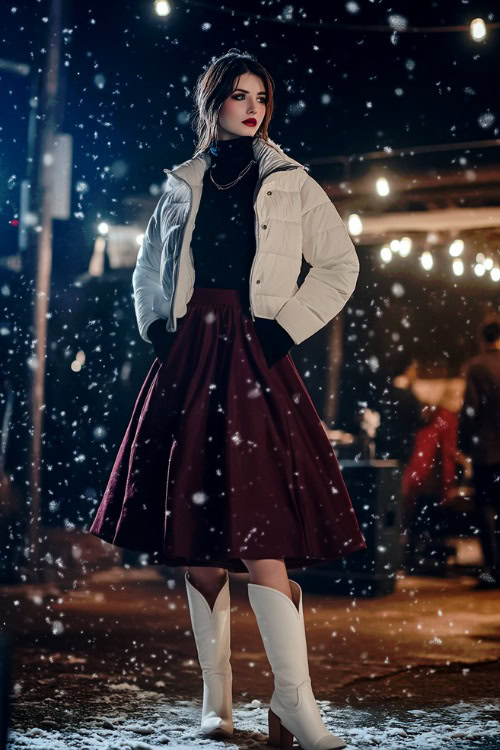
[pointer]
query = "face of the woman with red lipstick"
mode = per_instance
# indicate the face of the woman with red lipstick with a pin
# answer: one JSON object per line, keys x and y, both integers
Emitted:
{"x": 247, "y": 100}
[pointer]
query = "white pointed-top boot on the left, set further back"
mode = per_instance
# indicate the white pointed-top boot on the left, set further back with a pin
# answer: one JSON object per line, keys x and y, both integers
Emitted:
{"x": 212, "y": 632}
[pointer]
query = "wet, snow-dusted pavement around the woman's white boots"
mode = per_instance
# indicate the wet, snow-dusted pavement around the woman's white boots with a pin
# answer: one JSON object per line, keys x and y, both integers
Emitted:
{"x": 111, "y": 662}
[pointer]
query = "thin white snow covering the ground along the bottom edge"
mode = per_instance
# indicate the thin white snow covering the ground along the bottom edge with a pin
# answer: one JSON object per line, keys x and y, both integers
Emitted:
{"x": 461, "y": 726}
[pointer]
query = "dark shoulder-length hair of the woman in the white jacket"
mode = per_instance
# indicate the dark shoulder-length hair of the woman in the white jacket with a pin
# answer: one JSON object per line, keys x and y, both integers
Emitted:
{"x": 216, "y": 84}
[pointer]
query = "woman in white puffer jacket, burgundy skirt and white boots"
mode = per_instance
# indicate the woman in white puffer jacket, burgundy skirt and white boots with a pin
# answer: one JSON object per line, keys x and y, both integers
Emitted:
{"x": 225, "y": 465}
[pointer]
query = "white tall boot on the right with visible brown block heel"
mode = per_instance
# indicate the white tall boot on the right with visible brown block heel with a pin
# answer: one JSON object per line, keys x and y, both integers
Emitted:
{"x": 294, "y": 711}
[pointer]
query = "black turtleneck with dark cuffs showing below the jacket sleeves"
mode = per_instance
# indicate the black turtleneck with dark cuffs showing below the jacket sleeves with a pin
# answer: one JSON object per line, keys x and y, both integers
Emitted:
{"x": 223, "y": 240}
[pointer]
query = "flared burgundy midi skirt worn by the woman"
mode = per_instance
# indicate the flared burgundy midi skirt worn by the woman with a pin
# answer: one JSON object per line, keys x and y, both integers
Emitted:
{"x": 225, "y": 459}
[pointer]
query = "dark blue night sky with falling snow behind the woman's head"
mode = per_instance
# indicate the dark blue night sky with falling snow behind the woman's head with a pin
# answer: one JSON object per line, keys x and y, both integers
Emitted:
{"x": 129, "y": 76}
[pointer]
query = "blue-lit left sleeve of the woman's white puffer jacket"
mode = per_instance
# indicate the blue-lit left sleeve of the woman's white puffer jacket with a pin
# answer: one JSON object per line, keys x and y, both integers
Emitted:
{"x": 146, "y": 277}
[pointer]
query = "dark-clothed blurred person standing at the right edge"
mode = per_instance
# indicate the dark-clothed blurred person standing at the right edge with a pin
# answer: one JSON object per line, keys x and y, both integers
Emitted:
{"x": 479, "y": 438}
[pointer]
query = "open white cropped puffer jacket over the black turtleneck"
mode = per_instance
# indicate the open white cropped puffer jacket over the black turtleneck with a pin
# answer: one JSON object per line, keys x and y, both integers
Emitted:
{"x": 293, "y": 217}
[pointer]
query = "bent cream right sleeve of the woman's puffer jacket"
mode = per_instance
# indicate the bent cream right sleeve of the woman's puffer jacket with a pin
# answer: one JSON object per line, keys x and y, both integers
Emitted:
{"x": 332, "y": 279}
